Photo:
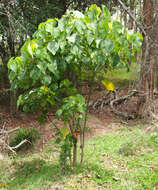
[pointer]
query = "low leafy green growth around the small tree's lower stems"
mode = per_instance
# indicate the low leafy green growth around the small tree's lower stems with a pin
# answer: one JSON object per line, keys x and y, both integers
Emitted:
{"x": 71, "y": 113}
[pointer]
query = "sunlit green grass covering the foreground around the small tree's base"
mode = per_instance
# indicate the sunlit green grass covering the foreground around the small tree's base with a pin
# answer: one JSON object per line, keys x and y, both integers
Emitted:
{"x": 126, "y": 159}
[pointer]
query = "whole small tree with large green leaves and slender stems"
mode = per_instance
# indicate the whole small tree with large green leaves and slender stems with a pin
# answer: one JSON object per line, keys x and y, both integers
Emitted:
{"x": 52, "y": 65}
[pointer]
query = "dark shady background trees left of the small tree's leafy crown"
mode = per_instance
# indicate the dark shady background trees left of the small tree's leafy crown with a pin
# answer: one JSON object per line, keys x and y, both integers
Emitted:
{"x": 19, "y": 20}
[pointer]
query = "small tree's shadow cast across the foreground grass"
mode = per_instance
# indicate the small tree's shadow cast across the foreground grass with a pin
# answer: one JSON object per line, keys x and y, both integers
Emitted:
{"x": 39, "y": 174}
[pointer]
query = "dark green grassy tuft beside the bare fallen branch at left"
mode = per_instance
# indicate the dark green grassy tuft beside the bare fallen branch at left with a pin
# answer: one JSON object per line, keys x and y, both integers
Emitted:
{"x": 30, "y": 134}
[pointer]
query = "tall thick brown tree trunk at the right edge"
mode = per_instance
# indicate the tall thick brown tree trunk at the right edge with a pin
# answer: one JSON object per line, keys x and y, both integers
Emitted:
{"x": 149, "y": 58}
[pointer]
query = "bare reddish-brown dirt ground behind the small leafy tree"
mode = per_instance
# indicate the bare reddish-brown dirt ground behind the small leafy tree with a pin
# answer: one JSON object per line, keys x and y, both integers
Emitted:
{"x": 98, "y": 123}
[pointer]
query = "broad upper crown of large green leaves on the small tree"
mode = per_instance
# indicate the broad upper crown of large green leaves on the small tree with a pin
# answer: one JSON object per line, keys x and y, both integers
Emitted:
{"x": 62, "y": 49}
